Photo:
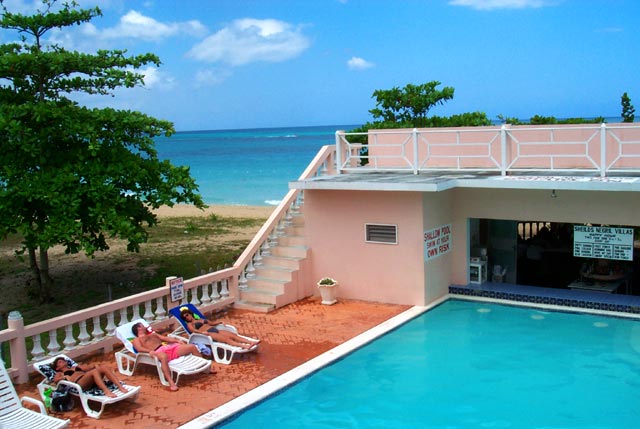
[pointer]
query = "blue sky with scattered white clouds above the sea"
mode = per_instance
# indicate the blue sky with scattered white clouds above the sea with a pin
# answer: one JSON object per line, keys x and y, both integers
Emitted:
{"x": 276, "y": 63}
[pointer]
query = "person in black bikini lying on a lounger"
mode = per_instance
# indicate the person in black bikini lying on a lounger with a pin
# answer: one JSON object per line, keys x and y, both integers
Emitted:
{"x": 86, "y": 376}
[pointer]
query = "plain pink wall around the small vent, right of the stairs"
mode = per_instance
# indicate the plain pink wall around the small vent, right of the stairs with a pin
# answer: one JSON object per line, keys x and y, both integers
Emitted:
{"x": 335, "y": 229}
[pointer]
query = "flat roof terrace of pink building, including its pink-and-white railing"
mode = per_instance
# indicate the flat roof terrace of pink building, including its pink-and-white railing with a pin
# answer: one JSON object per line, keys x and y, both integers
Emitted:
{"x": 603, "y": 157}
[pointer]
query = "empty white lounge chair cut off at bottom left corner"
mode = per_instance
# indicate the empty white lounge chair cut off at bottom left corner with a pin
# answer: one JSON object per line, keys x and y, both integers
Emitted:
{"x": 13, "y": 415}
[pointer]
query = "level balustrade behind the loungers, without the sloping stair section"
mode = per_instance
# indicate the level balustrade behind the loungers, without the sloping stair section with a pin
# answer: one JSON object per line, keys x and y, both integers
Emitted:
{"x": 94, "y": 328}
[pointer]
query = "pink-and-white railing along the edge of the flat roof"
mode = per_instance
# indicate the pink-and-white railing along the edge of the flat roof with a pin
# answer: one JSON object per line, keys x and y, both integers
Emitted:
{"x": 604, "y": 149}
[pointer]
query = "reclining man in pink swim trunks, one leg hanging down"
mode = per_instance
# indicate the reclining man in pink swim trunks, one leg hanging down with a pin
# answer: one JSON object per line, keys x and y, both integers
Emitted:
{"x": 164, "y": 348}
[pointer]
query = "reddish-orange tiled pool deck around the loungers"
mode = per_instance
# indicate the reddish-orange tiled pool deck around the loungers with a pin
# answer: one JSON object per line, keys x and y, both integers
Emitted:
{"x": 290, "y": 336}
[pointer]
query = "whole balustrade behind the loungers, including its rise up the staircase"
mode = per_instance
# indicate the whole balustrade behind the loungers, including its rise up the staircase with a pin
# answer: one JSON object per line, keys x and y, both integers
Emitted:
{"x": 94, "y": 328}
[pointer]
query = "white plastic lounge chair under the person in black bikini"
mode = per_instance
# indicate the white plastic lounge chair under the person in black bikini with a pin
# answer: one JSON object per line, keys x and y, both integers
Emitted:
{"x": 94, "y": 394}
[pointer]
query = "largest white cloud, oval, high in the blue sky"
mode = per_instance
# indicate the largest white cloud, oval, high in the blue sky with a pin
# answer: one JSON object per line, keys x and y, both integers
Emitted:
{"x": 251, "y": 40}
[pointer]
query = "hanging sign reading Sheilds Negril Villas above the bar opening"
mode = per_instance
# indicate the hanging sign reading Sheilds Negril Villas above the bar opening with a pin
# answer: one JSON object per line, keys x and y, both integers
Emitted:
{"x": 603, "y": 242}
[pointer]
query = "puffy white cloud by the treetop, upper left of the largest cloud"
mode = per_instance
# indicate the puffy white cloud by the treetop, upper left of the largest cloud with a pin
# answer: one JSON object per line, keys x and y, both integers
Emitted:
{"x": 135, "y": 25}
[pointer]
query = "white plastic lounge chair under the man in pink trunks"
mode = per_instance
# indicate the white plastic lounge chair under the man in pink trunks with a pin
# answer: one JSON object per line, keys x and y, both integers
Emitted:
{"x": 128, "y": 358}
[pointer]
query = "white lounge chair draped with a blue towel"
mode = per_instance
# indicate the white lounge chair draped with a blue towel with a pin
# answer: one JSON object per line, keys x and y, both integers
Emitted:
{"x": 222, "y": 353}
